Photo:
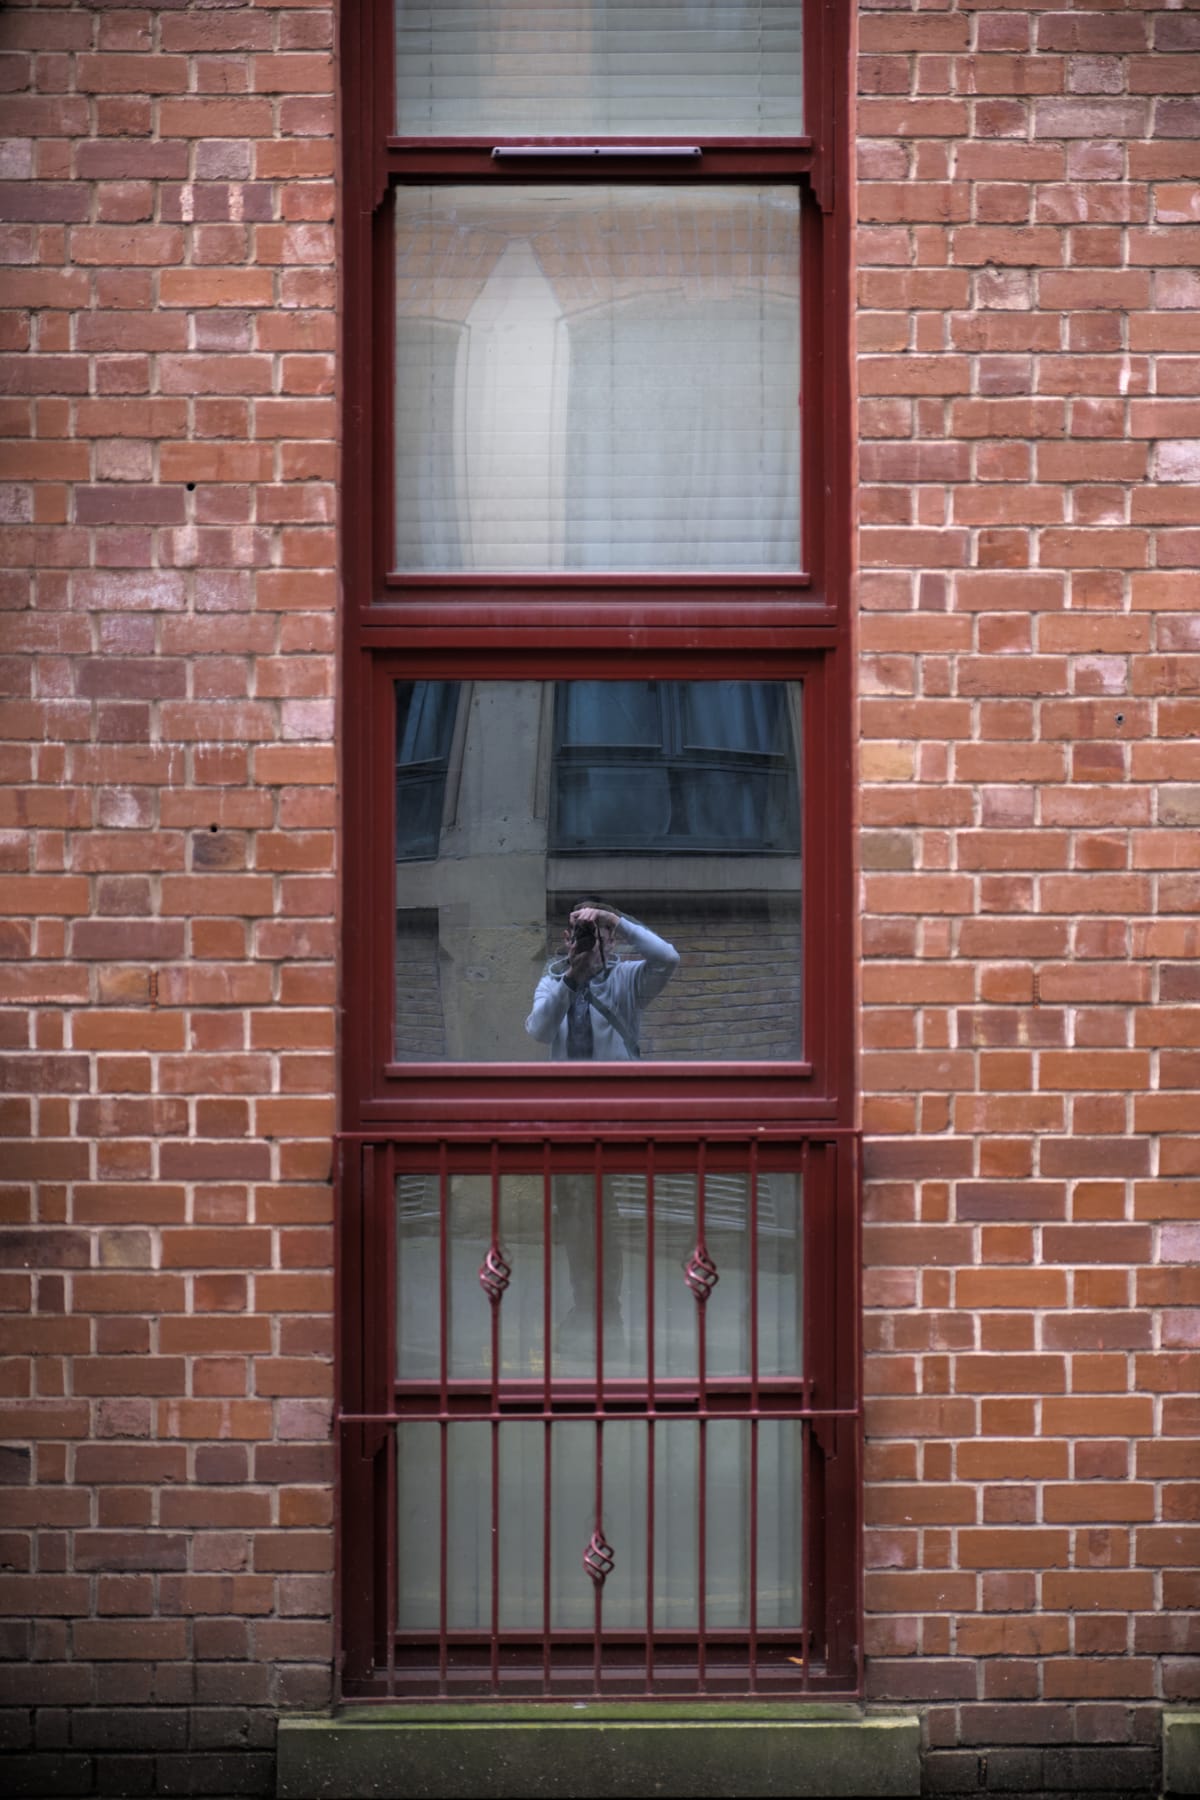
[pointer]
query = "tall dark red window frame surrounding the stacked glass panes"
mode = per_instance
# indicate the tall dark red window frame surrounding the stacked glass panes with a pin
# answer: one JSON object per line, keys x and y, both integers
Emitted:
{"x": 586, "y": 625}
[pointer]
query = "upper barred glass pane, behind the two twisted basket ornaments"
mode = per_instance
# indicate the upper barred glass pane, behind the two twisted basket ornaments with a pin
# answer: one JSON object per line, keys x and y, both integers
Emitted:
{"x": 623, "y": 1288}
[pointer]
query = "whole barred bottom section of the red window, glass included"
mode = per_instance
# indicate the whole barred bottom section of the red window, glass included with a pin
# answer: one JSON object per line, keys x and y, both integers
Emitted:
{"x": 600, "y": 1417}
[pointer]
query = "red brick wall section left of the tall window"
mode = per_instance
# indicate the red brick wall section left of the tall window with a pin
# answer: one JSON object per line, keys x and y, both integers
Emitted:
{"x": 166, "y": 885}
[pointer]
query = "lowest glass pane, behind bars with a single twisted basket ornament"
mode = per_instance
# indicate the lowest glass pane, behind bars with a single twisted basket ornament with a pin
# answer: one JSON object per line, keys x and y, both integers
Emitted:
{"x": 625, "y": 1515}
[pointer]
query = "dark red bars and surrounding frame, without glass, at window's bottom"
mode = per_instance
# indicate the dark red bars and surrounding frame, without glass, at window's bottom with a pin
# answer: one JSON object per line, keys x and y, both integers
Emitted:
{"x": 384, "y": 1662}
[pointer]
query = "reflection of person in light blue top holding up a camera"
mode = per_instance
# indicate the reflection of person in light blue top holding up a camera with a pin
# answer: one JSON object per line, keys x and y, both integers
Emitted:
{"x": 589, "y": 1003}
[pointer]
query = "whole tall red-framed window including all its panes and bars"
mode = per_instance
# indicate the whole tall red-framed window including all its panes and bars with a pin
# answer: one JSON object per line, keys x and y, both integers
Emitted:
{"x": 598, "y": 1189}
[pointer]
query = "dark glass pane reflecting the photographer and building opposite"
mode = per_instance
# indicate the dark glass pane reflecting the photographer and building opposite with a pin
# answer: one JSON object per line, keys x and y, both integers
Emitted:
{"x": 695, "y": 850}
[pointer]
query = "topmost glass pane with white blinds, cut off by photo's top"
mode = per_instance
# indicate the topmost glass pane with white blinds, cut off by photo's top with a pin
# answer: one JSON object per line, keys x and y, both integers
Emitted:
{"x": 598, "y": 67}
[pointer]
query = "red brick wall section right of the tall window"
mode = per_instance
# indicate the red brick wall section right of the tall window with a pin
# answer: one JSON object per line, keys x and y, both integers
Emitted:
{"x": 1030, "y": 442}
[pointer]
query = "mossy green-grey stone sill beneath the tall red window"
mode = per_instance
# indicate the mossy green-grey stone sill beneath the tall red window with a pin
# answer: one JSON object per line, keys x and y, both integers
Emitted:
{"x": 595, "y": 1752}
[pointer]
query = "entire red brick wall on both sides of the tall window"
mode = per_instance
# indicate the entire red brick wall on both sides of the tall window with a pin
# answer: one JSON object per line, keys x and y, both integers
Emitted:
{"x": 1030, "y": 811}
